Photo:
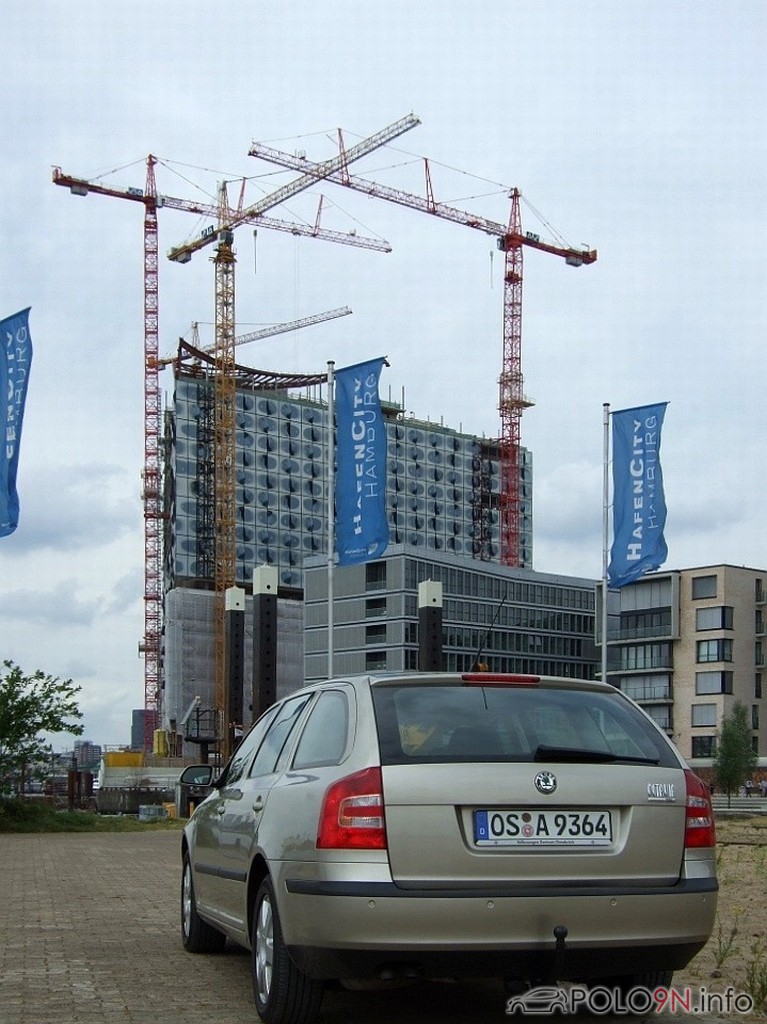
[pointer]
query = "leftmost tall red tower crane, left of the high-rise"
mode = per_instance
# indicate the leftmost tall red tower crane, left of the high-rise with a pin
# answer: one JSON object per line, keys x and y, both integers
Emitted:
{"x": 149, "y": 198}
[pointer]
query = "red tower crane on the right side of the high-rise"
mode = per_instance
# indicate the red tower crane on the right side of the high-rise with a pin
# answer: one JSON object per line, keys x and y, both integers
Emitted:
{"x": 512, "y": 241}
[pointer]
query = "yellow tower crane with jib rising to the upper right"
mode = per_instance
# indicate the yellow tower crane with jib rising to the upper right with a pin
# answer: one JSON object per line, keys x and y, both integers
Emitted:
{"x": 225, "y": 382}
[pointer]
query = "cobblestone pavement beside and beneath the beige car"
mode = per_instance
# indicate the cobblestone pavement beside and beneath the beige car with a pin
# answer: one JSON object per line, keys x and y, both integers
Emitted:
{"x": 90, "y": 933}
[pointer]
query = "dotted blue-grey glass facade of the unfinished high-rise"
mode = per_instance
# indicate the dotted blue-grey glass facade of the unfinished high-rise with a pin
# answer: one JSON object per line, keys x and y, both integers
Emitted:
{"x": 443, "y": 487}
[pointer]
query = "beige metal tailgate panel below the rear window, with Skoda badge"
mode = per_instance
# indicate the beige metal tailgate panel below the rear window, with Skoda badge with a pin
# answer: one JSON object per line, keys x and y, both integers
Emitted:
{"x": 602, "y": 826}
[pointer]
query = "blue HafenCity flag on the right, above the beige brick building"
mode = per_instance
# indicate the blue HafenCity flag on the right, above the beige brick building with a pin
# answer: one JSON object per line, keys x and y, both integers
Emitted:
{"x": 638, "y": 502}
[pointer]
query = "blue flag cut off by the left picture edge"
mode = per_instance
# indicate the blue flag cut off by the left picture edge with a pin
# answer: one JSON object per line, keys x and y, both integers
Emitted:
{"x": 16, "y": 360}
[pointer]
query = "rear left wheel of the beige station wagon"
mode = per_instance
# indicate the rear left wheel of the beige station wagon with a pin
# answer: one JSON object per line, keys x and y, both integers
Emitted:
{"x": 284, "y": 995}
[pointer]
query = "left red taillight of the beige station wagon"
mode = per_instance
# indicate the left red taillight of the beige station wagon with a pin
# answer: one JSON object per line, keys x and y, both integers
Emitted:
{"x": 353, "y": 816}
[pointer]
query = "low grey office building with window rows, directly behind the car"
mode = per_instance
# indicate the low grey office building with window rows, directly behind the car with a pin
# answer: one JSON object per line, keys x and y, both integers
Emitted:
{"x": 514, "y": 621}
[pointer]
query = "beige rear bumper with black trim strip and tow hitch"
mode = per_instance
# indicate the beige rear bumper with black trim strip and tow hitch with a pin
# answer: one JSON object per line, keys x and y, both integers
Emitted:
{"x": 470, "y": 933}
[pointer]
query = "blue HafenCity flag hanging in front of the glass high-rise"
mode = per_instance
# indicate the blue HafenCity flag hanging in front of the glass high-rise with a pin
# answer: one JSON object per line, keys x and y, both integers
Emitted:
{"x": 362, "y": 530}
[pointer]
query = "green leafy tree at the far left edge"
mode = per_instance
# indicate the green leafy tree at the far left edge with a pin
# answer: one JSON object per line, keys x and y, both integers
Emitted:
{"x": 31, "y": 706}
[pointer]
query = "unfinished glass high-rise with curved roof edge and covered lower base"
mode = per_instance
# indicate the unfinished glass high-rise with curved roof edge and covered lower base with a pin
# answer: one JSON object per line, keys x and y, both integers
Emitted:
{"x": 442, "y": 498}
